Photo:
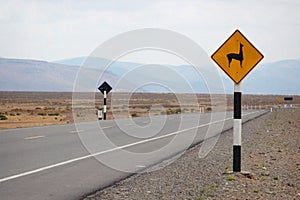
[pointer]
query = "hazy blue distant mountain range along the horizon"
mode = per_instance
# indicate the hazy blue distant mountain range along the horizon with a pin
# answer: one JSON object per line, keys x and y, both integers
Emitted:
{"x": 32, "y": 75}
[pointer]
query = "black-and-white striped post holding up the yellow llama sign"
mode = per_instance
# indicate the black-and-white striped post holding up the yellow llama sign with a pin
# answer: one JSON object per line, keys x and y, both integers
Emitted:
{"x": 237, "y": 127}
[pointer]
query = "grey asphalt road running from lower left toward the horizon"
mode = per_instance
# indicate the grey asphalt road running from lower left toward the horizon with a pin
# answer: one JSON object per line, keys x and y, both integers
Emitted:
{"x": 71, "y": 161}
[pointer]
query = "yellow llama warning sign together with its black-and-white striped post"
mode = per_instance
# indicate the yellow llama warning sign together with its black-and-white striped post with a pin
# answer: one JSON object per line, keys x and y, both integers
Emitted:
{"x": 237, "y": 57}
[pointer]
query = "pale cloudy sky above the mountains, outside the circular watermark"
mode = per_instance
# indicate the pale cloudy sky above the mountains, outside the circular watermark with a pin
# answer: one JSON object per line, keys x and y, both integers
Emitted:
{"x": 53, "y": 29}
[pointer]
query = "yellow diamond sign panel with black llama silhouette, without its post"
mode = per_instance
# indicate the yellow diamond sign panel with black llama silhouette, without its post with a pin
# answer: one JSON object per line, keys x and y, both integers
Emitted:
{"x": 237, "y": 56}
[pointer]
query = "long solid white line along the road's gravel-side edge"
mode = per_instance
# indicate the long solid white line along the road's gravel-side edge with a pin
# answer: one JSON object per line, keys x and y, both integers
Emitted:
{"x": 108, "y": 150}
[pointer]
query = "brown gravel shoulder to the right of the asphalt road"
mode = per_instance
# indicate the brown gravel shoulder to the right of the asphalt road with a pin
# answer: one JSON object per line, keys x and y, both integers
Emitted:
{"x": 270, "y": 152}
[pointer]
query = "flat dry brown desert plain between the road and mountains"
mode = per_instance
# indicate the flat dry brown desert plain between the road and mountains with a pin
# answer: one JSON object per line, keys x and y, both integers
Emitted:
{"x": 27, "y": 109}
